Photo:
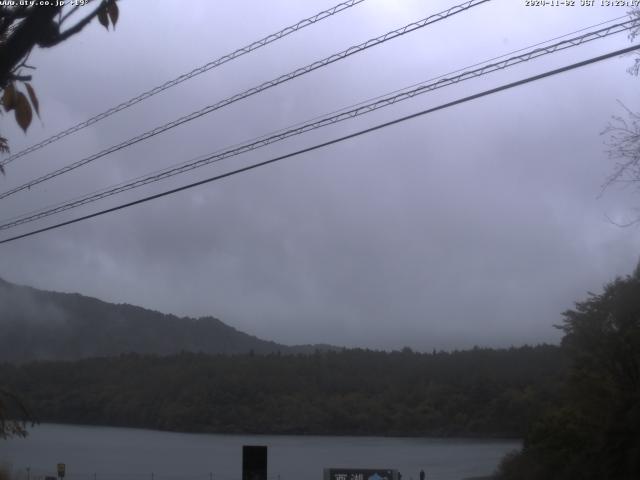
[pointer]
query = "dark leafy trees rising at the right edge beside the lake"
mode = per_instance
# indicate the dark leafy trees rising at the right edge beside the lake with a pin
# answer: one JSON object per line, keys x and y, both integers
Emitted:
{"x": 593, "y": 432}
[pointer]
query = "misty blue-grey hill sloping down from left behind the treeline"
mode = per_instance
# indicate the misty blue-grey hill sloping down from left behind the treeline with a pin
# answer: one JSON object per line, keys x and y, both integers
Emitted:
{"x": 42, "y": 325}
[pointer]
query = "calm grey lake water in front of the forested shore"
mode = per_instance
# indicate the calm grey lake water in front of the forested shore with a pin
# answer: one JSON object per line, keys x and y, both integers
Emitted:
{"x": 104, "y": 453}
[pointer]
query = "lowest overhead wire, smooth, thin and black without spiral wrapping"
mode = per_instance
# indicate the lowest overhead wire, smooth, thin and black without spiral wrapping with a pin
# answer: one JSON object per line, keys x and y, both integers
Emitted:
{"x": 332, "y": 142}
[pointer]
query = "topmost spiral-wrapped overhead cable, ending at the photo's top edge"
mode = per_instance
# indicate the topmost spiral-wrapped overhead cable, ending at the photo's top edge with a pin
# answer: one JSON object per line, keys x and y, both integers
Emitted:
{"x": 186, "y": 76}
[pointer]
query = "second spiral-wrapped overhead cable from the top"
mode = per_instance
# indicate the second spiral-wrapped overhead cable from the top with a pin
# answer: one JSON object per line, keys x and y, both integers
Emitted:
{"x": 252, "y": 91}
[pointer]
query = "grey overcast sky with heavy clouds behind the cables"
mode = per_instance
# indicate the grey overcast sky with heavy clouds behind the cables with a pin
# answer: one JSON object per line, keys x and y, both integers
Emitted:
{"x": 476, "y": 225}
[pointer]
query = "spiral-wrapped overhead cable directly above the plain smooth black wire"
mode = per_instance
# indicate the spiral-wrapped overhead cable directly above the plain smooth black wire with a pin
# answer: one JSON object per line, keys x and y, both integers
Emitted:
{"x": 330, "y": 119}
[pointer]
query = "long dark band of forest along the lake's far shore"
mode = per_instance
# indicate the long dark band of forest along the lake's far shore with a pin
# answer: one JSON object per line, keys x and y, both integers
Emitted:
{"x": 480, "y": 392}
